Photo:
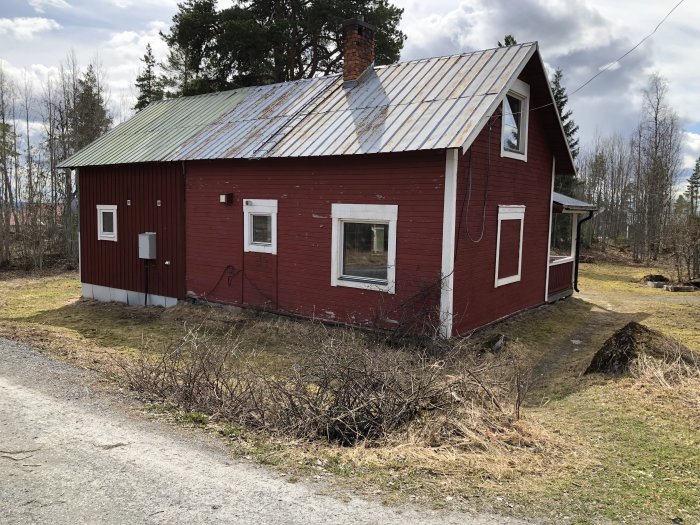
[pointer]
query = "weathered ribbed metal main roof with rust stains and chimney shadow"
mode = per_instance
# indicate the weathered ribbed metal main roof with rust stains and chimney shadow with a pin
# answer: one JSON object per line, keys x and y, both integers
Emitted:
{"x": 435, "y": 103}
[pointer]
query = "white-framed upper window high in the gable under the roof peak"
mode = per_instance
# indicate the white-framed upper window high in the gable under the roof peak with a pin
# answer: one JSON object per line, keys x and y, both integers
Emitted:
{"x": 516, "y": 106}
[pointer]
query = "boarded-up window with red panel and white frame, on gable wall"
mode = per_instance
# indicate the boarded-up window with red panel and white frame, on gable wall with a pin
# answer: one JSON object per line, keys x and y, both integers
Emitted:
{"x": 509, "y": 244}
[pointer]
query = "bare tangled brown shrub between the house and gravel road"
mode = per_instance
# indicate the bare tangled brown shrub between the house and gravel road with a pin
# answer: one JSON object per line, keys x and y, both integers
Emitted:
{"x": 343, "y": 388}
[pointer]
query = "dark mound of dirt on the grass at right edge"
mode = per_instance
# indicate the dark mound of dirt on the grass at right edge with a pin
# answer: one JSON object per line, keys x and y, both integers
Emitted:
{"x": 629, "y": 342}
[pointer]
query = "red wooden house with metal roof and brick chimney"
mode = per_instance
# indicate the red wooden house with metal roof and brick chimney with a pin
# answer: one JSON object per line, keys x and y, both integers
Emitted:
{"x": 419, "y": 192}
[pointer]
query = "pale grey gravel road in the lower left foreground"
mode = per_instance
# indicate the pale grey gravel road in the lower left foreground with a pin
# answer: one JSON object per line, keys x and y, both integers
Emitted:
{"x": 73, "y": 450}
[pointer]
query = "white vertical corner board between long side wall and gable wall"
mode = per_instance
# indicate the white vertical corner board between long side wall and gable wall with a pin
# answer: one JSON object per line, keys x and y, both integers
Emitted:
{"x": 449, "y": 219}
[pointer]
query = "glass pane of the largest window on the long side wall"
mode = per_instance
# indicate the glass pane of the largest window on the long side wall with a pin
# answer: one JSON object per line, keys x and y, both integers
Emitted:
{"x": 365, "y": 250}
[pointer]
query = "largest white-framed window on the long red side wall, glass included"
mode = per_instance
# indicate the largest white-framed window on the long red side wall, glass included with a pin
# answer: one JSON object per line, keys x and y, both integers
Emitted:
{"x": 364, "y": 246}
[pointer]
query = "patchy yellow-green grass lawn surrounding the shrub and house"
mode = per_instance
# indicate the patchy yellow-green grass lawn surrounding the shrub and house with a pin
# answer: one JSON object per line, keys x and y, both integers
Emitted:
{"x": 588, "y": 449}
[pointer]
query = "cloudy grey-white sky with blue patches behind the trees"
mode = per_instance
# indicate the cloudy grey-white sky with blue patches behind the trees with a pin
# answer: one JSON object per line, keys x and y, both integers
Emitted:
{"x": 578, "y": 36}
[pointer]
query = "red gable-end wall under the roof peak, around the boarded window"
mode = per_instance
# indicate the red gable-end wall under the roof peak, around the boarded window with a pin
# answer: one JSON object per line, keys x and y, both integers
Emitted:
{"x": 496, "y": 180}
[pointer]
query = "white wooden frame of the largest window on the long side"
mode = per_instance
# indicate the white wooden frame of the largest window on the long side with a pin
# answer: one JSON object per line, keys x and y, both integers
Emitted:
{"x": 369, "y": 213}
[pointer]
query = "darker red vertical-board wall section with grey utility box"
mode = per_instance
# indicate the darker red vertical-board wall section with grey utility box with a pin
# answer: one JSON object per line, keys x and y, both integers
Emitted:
{"x": 116, "y": 264}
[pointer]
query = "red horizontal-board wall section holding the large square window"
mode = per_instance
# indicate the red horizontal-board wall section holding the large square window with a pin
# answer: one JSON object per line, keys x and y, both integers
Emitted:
{"x": 297, "y": 279}
